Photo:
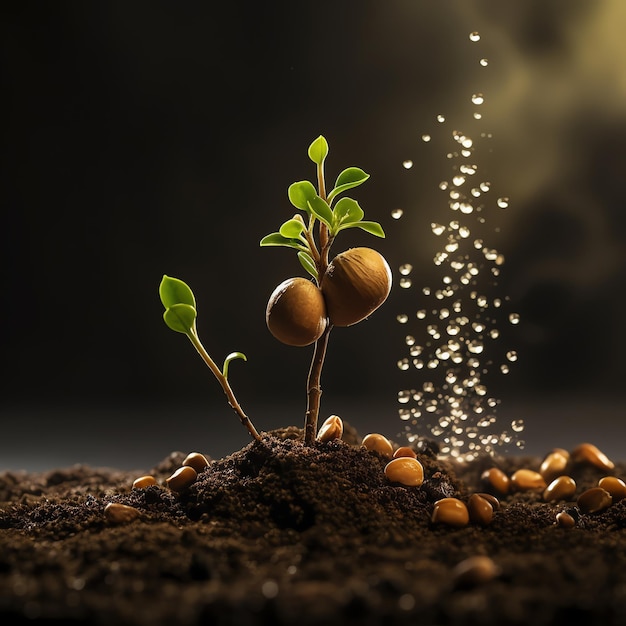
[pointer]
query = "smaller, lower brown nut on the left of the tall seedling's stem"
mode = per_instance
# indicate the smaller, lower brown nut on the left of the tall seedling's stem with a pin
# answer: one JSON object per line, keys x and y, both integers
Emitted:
{"x": 296, "y": 312}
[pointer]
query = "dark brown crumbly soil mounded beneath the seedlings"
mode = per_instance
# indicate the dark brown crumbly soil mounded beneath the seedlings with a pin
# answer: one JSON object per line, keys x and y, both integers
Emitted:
{"x": 279, "y": 533}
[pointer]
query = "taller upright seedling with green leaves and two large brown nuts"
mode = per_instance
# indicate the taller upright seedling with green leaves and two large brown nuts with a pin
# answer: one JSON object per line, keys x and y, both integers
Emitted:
{"x": 343, "y": 291}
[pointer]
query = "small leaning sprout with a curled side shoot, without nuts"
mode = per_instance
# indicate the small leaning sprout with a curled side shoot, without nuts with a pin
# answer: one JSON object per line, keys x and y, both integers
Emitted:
{"x": 180, "y": 315}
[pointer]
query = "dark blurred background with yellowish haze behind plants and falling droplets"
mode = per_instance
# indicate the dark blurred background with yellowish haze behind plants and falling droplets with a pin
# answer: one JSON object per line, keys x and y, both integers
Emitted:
{"x": 143, "y": 138}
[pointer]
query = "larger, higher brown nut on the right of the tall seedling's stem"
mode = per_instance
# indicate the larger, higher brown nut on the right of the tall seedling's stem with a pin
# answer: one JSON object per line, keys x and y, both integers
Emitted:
{"x": 355, "y": 284}
